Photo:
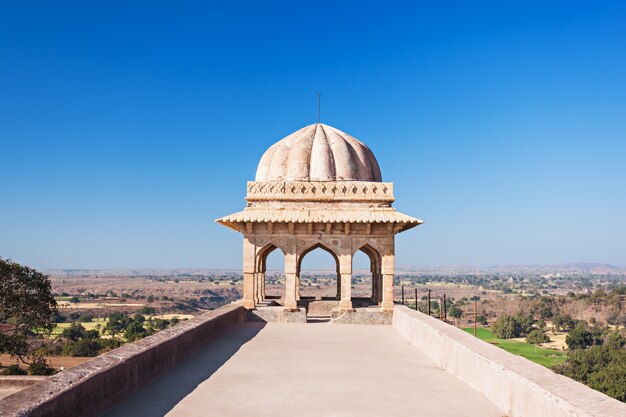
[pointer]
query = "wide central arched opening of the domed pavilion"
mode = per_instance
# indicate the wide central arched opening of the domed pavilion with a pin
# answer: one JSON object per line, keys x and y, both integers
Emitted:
{"x": 318, "y": 274}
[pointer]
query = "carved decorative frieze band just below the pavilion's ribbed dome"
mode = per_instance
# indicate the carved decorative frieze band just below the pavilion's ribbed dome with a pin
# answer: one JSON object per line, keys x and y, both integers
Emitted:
{"x": 320, "y": 191}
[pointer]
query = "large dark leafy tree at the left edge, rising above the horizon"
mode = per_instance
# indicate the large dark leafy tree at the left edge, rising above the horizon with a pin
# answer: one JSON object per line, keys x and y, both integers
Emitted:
{"x": 26, "y": 303}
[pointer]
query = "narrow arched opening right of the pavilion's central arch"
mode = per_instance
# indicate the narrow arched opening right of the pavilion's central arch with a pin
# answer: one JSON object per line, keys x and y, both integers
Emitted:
{"x": 368, "y": 282}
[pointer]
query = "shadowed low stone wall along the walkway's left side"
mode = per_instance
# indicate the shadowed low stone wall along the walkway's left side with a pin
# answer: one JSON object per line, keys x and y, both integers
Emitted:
{"x": 94, "y": 386}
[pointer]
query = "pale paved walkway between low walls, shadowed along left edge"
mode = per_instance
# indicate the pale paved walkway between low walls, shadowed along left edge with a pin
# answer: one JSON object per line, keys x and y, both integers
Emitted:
{"x": 306, "y": 370}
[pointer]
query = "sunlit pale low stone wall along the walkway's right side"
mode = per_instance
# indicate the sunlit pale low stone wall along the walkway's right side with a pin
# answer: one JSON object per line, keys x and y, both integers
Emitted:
{"x": 518, "y": 386}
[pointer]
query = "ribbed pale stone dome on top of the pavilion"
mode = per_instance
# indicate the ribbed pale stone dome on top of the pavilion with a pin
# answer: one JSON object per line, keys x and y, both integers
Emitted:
{"x": 318, "y": 152}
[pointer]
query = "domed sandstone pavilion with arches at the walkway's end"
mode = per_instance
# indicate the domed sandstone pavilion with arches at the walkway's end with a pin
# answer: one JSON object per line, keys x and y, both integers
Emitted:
{"x": 319, "y": 188}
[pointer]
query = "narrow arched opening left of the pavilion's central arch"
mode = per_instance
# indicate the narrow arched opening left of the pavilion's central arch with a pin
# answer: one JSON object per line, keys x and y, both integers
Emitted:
{"x": 271, "y": 275}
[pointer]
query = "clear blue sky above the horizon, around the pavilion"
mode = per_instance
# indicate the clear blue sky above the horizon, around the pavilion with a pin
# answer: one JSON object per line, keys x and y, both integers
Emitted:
{"x": 502, "y": 124}
